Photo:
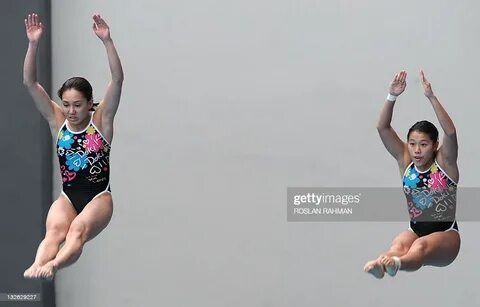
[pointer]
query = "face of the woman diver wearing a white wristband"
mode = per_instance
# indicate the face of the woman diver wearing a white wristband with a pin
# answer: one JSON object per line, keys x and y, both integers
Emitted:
{"x": 421, "y": 148}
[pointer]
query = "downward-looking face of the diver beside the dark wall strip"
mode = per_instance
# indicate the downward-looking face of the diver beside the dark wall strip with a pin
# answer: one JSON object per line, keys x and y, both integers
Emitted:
{"x": 75, "y": 106}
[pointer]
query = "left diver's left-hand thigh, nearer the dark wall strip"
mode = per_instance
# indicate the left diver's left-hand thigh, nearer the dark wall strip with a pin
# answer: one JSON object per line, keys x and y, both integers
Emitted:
{"x": 61, "y": 214}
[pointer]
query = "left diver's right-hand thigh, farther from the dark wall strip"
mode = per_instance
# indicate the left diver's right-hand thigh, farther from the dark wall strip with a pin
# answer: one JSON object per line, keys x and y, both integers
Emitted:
{"x": 95, "y": 216}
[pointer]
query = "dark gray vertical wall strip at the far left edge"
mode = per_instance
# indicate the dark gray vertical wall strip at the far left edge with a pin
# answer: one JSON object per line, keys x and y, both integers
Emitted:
{"x": 26, "y": 166}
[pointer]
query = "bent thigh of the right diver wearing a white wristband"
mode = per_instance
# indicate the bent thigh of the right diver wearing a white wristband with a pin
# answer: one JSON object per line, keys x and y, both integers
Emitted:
{"x": 441, "y": 248}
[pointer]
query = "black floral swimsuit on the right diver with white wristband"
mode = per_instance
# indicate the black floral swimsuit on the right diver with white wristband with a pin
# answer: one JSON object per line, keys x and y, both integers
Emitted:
{"x": 431, "y": 198}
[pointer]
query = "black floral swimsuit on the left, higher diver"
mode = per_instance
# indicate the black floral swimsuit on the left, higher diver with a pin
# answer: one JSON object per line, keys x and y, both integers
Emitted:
{"x": 84, "y": 159}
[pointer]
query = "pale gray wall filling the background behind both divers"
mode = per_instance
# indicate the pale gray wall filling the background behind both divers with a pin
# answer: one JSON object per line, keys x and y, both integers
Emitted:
{"x": 228, "y": 103}
